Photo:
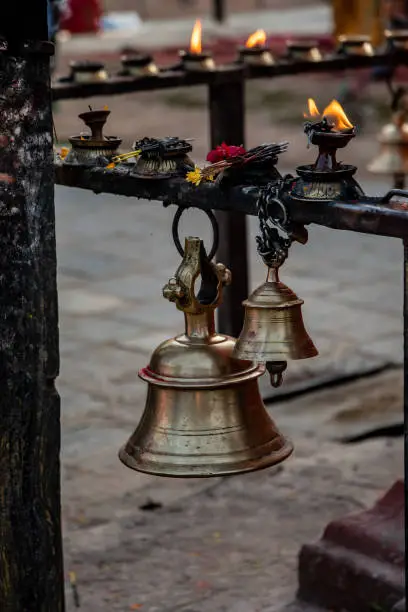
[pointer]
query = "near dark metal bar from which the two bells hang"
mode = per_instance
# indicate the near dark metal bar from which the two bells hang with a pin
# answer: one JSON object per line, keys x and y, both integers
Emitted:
{"x": 367, "y": 216}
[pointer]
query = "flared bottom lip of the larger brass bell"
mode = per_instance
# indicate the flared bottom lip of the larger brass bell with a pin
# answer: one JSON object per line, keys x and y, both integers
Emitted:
{"x": 192, "y": 466}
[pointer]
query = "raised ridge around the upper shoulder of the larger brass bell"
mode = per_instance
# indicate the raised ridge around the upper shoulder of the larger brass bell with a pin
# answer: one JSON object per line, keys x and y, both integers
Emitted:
{"x": 255, "y": 371}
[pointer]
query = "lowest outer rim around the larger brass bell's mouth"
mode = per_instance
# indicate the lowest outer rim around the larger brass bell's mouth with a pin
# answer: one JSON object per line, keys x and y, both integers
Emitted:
{"x": 241, "y": 467}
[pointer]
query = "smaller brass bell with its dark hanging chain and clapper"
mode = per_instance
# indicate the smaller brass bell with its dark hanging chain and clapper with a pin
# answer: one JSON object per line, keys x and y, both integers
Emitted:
{"x": 273, "y": 331}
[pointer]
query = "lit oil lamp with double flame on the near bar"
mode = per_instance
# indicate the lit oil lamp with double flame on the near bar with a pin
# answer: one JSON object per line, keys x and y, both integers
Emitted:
{"x": 327, "y": 179}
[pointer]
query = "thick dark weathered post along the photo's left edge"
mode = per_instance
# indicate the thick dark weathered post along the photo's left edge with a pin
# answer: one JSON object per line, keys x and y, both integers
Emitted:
{"x": 31, "y": 568}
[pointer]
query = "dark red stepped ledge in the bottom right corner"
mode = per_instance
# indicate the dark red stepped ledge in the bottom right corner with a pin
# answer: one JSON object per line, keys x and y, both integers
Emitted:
{"x": 358, "y": 565}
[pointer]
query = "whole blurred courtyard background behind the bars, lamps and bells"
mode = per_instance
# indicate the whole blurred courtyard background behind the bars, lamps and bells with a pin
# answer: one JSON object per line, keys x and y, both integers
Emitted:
{"x": 159, "y": 545}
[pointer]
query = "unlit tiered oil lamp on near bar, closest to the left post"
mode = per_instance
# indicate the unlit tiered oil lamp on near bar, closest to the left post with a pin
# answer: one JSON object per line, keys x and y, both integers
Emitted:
{"x": 91, "y": 149}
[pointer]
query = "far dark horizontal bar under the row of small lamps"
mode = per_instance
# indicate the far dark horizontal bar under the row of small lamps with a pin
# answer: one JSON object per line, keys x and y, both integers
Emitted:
{"x": 65, "y": 89}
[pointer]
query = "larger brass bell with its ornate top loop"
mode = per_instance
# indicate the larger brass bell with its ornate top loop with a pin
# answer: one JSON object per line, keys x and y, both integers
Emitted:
{"x": 204, "y": 415}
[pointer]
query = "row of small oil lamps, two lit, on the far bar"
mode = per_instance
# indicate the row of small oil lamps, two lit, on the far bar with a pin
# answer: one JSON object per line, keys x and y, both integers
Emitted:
{"x": 255, "y": 52}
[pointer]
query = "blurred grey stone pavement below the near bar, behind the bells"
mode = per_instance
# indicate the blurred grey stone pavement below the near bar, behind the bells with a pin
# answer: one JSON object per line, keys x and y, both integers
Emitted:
{"x": 222, "y": 544}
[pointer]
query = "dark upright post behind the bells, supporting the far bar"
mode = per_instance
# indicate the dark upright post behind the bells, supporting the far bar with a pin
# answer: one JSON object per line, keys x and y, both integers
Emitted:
{"x": 227, "y": 120}
